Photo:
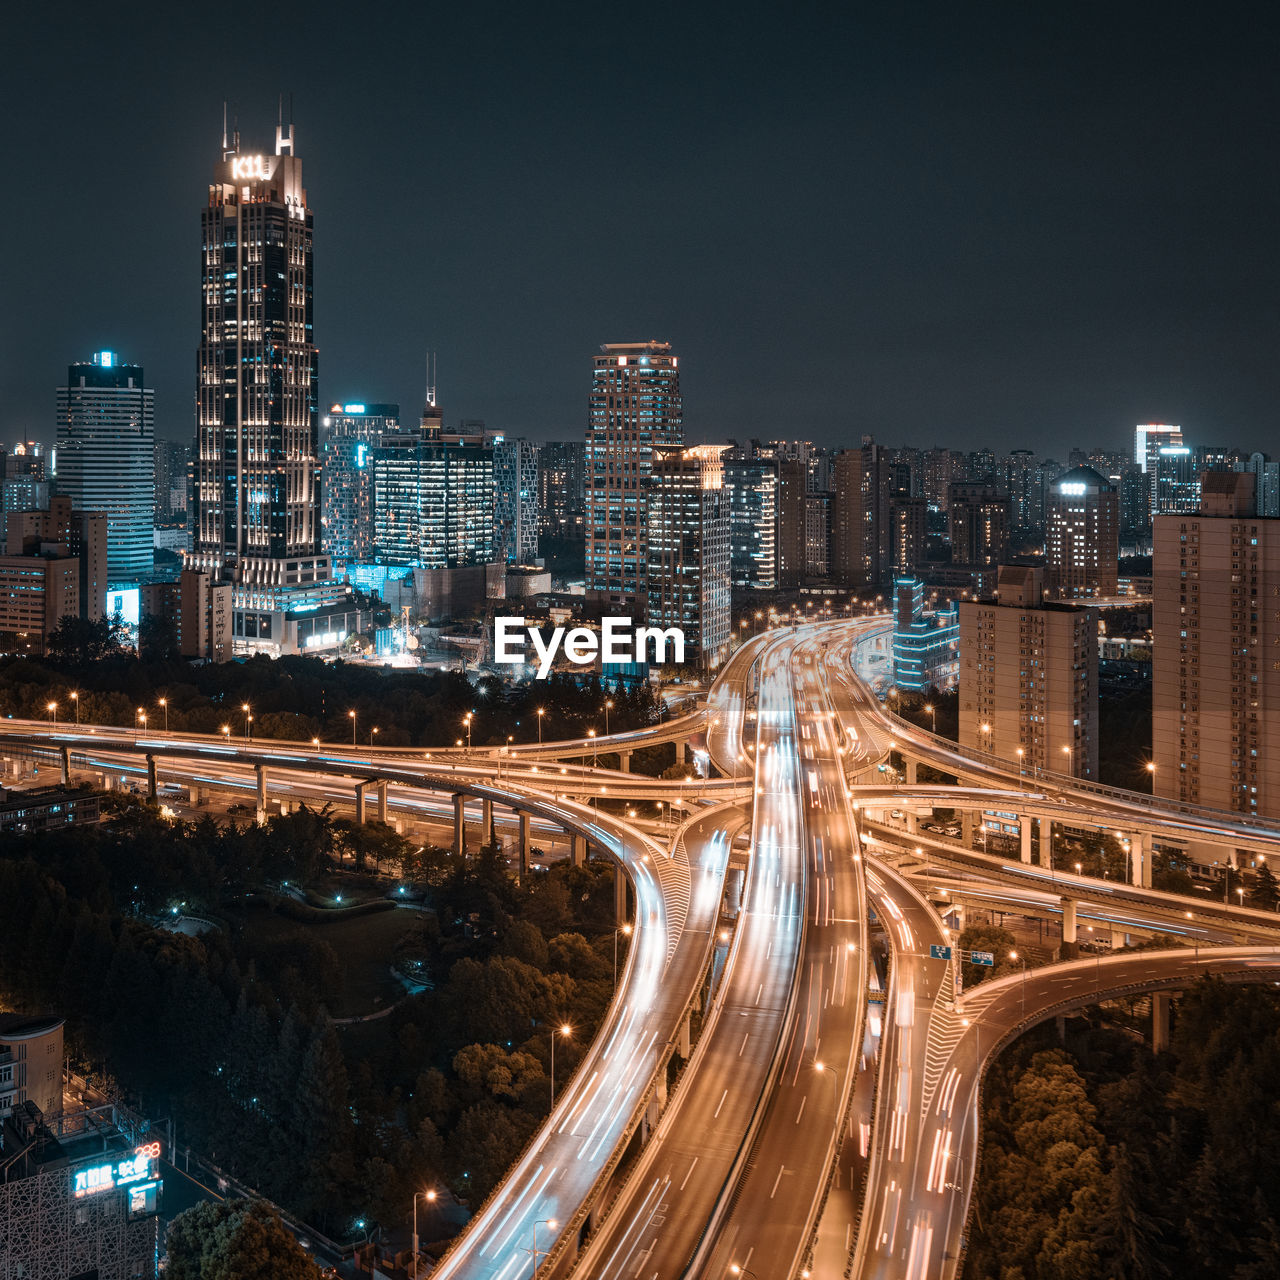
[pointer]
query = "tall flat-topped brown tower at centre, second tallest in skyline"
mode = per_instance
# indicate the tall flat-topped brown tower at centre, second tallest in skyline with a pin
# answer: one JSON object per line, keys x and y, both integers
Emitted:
{"x": 636, "y": 408}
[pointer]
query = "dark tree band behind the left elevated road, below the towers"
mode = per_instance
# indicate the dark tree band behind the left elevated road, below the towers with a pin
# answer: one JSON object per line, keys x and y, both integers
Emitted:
{"x": 305, "y": 698}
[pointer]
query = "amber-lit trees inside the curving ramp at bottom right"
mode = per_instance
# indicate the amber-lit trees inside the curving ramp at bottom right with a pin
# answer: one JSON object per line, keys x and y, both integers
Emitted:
{"x": 1114, "y": 1163}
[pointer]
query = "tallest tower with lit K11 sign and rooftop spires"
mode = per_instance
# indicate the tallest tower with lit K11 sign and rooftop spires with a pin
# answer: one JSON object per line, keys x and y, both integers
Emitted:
{"x": 258, "y": 467}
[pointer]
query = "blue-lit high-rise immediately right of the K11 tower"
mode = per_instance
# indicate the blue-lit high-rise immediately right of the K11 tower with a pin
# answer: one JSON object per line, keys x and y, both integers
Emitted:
{"x": 350, "y": 436}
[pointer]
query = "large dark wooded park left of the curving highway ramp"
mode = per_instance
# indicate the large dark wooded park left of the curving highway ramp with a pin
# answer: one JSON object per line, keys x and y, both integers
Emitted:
{"x": 331, "y": 1122}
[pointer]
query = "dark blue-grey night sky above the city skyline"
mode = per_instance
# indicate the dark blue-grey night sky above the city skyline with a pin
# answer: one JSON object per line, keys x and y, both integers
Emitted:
{"x": 1027, "y": 226}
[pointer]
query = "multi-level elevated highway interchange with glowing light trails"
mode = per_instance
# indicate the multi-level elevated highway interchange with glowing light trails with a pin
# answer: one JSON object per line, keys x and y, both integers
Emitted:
{"x": 810, "y": 1131}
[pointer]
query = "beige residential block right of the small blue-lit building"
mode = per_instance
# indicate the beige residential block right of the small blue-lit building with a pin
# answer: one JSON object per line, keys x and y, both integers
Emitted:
{"x": 1030, "y": 678}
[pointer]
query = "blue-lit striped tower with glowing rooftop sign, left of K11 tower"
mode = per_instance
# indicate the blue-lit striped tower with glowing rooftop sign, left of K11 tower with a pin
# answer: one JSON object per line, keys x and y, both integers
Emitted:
{"x": 107, "y": 459}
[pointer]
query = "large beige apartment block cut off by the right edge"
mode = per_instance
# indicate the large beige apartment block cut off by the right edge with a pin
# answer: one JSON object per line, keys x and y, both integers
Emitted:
{"x": 1217, "y": 625}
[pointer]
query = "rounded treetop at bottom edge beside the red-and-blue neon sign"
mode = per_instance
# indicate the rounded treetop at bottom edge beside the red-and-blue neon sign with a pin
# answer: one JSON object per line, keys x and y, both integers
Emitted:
{"x": 235, "y": 1241}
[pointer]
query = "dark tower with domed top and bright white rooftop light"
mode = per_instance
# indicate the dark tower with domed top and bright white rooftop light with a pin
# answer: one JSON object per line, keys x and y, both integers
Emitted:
{"x": 1082, "y": 536}
